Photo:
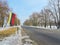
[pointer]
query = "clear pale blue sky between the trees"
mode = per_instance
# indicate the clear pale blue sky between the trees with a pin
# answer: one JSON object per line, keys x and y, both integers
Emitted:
{"x": 24, "y": 8}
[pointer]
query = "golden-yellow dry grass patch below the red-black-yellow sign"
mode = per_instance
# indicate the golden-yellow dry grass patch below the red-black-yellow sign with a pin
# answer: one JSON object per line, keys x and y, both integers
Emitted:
{"x": 8, "y": 32}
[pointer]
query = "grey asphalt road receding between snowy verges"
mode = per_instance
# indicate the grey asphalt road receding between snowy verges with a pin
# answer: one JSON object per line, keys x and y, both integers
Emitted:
{"x": 43, "y": 37}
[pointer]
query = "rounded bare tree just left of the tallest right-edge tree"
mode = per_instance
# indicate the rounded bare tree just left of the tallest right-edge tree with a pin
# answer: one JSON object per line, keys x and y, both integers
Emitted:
{"x": 46, "y": 16}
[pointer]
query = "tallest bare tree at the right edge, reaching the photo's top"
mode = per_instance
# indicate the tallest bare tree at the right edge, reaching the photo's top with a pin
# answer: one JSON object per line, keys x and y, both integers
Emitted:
{"x": 54, "y": 6}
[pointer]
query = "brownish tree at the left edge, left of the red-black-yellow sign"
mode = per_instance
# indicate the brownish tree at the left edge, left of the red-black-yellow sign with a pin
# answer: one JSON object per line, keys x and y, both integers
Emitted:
{"x": 3, "y": 11}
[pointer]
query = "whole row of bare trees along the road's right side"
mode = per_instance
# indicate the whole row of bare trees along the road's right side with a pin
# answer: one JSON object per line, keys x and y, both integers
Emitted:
{"x": 50, "y": 15}
